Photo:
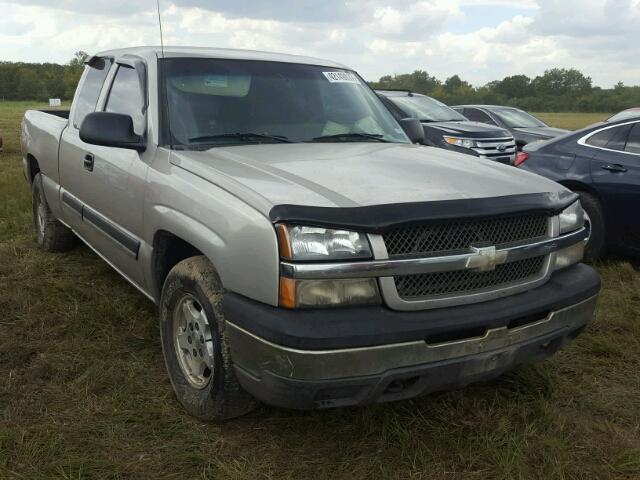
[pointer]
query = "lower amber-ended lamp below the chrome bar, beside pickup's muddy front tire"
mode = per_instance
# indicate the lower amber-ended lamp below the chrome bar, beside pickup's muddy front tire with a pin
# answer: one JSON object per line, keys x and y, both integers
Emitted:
{"x": 328, "y": 293}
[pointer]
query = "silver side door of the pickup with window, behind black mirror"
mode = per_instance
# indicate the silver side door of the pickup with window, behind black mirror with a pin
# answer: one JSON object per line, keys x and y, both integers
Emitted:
{"x": 107, "y": 184}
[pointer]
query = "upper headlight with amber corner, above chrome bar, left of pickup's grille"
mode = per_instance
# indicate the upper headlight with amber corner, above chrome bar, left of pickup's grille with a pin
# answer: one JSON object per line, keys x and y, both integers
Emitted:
{"x": 314, "y": 243}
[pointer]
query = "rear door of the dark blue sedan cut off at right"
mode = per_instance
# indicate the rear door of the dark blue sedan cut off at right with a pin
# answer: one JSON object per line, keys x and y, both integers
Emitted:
{"x": 615, "y": 171}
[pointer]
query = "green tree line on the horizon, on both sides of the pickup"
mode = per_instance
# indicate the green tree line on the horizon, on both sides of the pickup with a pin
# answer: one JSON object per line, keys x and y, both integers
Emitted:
{"x": 557, "y": 90}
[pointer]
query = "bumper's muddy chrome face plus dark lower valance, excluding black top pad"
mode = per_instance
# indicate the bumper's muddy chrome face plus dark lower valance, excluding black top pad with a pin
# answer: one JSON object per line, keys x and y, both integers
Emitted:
{"x": 307, "y": 379}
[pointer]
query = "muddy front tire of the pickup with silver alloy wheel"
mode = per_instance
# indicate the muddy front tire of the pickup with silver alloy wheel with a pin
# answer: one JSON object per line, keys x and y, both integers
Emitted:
{"x": 196, "y": 351}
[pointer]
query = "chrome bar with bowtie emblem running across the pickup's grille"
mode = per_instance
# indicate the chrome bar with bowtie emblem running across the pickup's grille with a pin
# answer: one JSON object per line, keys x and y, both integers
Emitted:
{"x": 414, "y": 266}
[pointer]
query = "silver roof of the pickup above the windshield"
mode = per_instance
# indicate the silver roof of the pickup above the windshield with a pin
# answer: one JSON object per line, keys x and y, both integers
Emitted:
{"x": 225, "y": 53}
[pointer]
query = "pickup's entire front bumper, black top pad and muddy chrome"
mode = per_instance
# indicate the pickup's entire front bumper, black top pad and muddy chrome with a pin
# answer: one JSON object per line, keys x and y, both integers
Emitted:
{"x": 352, "y": 356}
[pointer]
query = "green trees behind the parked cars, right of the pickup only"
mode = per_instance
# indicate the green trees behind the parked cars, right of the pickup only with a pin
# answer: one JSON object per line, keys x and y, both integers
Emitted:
{"x": 557, "y": 90}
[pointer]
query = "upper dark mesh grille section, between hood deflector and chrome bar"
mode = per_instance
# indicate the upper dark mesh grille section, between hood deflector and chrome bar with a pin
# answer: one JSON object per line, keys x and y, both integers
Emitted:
{"x": 451, "y": 237}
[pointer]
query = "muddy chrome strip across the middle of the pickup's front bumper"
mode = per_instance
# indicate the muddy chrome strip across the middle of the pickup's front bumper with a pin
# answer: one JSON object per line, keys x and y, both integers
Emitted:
{"x": 256, "y": 355}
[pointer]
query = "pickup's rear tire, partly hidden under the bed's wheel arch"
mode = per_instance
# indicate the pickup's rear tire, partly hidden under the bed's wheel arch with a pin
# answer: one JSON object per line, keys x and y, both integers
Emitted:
{"x": 51, "y": 235}
